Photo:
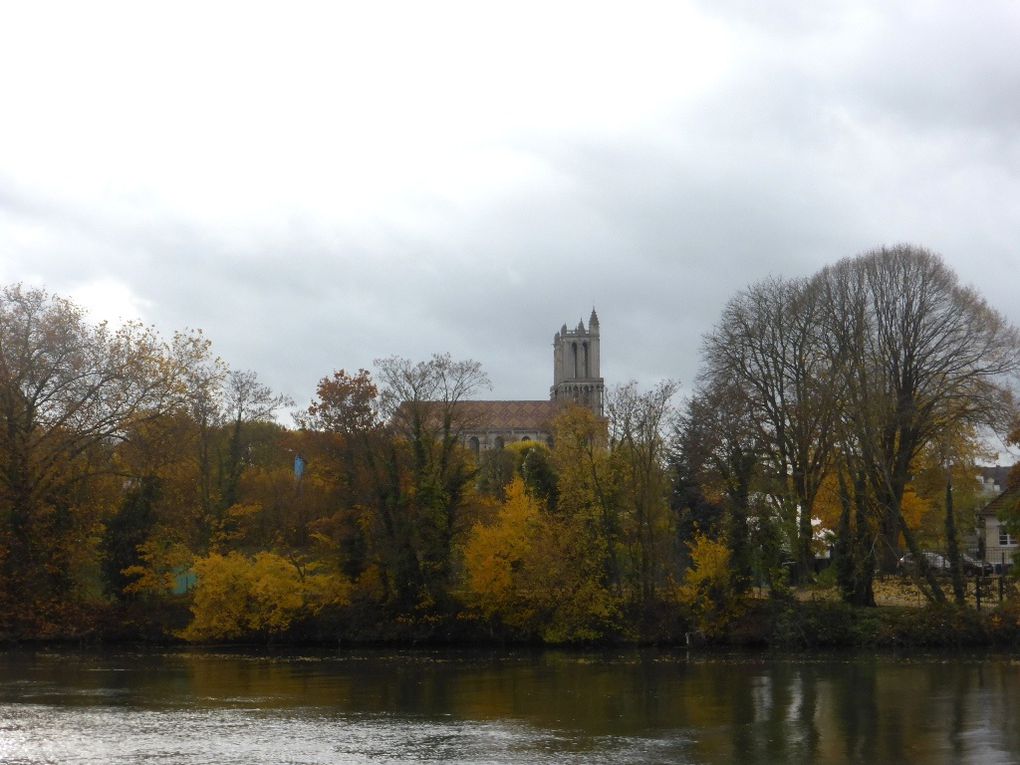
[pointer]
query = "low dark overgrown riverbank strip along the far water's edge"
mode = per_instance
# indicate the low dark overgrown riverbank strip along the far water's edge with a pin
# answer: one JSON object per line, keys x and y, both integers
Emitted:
{"x": 794, "y": 622}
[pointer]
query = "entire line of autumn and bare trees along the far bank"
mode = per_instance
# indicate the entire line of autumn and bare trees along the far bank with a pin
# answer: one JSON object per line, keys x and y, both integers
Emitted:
{"x": 147, "y": 489}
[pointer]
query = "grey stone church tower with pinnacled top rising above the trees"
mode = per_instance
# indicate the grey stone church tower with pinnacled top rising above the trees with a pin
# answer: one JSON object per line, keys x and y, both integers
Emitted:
{"x": 577, "y": 377}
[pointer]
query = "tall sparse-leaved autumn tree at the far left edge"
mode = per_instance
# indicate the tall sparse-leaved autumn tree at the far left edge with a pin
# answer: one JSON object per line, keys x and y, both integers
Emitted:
{"x": 69, "y": 389}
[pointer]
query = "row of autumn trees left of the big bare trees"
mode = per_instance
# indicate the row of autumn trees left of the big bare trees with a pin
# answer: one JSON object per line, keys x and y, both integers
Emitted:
{"x": 137, "y": 469}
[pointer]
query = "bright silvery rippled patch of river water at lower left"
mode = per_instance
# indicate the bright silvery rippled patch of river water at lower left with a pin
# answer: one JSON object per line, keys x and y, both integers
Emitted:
{"x": 39, "y": 734}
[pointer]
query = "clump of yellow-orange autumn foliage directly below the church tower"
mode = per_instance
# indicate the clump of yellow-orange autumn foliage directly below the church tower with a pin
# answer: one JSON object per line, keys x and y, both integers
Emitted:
{"x": 552, "y": 570}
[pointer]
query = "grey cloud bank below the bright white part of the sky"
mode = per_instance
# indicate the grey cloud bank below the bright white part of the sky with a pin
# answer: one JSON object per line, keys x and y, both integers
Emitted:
{"x": 820, "y": 143}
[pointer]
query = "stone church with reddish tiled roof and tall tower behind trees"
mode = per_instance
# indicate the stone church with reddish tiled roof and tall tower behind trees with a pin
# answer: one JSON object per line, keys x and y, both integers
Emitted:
{"x": 577, "y": 380}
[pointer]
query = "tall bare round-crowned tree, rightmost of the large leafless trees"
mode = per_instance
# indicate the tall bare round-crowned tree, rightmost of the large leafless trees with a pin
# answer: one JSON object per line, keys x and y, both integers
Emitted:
{"x": 915, "y": 354}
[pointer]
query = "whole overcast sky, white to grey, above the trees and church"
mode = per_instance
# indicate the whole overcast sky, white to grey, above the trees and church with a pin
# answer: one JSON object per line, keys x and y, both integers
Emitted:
{"x": 320, "y": 185}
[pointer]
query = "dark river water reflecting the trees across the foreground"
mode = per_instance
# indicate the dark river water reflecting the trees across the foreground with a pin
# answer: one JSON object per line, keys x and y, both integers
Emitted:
{"x": 154, "y": 706}
